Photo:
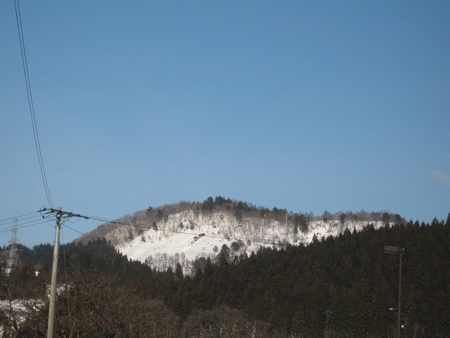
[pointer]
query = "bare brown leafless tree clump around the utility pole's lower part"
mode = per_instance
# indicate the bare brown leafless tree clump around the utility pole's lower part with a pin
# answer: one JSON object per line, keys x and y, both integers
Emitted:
{"x": 97, "y": 306}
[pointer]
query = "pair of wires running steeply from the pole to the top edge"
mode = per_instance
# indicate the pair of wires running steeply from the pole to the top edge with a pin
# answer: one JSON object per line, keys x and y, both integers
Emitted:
{"x": 30, "y": 101}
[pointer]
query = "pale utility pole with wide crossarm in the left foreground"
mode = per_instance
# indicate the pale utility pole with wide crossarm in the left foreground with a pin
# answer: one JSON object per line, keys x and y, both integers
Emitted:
{"x": 51, "y": 309}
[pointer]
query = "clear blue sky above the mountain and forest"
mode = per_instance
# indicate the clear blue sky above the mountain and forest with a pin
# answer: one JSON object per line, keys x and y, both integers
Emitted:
{"x": 303, "y": 105}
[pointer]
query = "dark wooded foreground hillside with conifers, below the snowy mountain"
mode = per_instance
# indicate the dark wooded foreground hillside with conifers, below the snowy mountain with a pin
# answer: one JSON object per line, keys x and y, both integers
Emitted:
{"x": 334, "y": 287}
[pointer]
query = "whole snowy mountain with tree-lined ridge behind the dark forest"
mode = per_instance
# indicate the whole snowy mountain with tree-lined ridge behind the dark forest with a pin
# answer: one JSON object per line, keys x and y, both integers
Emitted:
{"x": 185, "y": 232}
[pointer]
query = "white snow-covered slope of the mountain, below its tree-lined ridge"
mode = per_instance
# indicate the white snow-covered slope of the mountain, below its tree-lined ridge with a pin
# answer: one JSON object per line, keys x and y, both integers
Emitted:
{"x": 185, "y": 236}
